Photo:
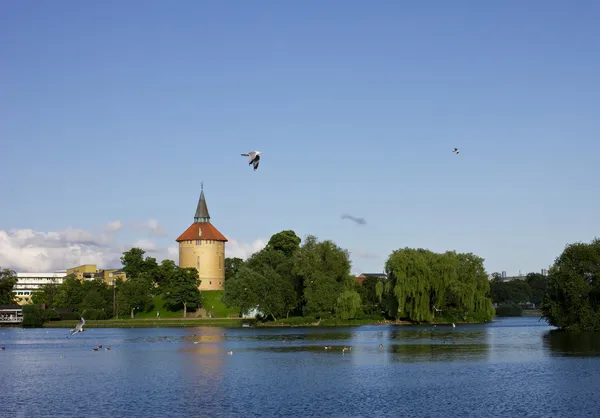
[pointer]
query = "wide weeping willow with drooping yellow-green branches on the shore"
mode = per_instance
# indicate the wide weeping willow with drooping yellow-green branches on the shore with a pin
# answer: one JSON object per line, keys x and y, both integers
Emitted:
{"x": 423, "y": 283}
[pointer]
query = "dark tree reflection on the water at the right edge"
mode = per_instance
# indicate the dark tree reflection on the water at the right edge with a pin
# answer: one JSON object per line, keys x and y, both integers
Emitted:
{"x": 566, "y": 344}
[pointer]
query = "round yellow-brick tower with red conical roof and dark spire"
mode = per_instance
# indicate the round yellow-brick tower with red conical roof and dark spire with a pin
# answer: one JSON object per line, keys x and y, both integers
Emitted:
{"x": 202, "y": 246}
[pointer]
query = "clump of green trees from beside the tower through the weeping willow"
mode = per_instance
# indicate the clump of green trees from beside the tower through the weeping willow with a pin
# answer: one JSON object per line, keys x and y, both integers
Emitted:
{"x": 312, "y": 278}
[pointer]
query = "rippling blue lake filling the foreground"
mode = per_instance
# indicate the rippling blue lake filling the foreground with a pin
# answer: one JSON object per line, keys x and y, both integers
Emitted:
{"x": 513, "y": 367}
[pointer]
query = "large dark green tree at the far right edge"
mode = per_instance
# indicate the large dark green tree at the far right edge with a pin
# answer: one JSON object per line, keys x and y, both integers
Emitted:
{"x": 572, "y": 300}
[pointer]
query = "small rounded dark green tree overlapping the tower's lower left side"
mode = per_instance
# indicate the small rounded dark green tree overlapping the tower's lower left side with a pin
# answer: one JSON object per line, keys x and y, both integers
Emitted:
{"x": 182, "y": 289}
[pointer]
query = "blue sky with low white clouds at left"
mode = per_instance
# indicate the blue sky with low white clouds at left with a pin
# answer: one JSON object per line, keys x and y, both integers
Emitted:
{"x": 112, "y": 113}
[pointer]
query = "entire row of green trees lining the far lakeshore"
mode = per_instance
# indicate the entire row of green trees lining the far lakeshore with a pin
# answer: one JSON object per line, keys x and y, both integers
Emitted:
{"x": 312, "y": 278}
